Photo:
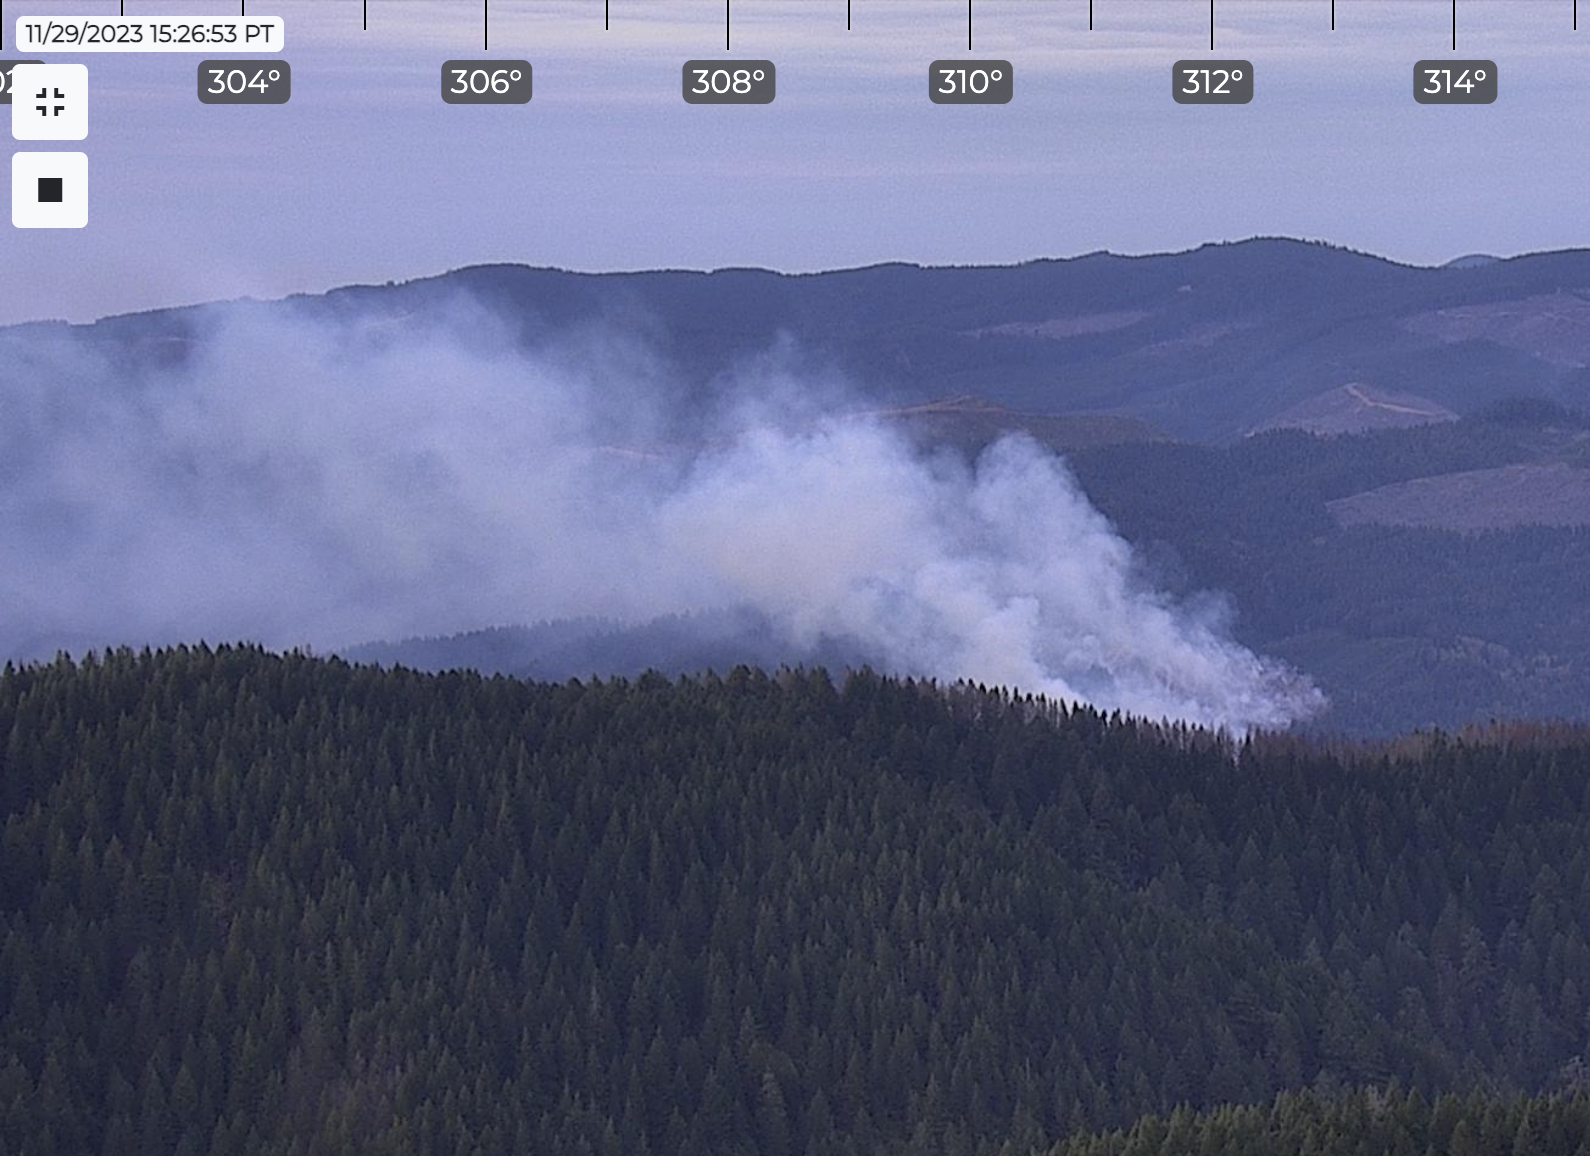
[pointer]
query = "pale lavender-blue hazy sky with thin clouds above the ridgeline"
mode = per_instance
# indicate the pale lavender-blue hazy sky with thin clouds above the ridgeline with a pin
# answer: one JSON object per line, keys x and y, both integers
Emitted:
{"x": 368, "y": 176}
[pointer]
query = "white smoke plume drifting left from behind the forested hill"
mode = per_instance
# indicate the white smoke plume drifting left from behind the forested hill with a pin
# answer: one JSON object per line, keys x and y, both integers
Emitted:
{"x": 308, "y": 483}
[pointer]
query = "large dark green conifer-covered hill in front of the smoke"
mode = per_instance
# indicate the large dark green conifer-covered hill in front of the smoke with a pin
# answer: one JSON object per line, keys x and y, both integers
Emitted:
{"x": 257, "y": 904}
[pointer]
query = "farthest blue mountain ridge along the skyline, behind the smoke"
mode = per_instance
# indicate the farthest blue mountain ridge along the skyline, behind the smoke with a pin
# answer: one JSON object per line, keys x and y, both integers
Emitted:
{"x": 1204, "y": 344}
